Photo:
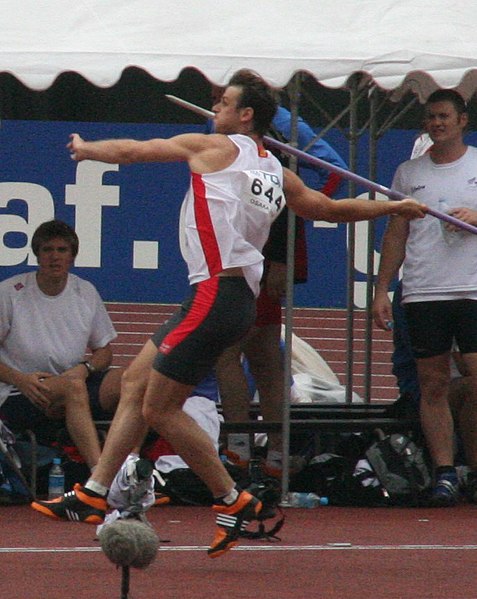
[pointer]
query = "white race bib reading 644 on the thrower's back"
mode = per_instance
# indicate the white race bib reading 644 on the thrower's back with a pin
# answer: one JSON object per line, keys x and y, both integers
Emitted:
{"x": 264, "y": 192}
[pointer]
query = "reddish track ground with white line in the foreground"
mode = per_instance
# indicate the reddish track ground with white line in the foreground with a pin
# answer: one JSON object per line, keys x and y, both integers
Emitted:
{"x": 325, "y": 553}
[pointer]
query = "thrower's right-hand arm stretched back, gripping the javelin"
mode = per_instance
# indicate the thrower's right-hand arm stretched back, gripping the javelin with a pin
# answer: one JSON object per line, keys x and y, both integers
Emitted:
{"x": 313, "y": 205}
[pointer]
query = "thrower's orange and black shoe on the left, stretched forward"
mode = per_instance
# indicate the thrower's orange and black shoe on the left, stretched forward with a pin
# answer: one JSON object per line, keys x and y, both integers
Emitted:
{"x": 77, "y": 505}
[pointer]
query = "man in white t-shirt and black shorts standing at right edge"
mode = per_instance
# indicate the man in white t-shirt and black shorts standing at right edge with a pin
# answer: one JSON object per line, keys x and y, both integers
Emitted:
{"x": 439, "y": 281}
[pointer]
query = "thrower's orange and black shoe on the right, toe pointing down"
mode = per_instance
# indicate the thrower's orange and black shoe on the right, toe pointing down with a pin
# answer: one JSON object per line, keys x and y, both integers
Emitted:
{"x": 231, "y": 520}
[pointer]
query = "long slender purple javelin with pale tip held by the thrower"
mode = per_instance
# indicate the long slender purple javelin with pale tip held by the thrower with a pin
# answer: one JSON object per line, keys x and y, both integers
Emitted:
{"x": 371, "y": 185}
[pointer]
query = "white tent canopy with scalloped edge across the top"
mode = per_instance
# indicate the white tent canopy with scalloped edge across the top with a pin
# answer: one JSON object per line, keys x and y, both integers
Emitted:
{"x": 422, "y": 43}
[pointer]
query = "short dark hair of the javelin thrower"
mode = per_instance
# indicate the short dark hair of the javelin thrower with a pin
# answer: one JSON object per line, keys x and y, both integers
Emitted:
{"x": 256, "y": 94}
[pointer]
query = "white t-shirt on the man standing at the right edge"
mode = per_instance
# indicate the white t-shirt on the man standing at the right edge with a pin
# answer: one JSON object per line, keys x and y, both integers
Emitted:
{"x": 439, "y": 265}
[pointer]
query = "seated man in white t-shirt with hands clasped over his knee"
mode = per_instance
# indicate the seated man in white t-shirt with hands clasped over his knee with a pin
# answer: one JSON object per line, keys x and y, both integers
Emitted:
{"x": 49, "y": 320}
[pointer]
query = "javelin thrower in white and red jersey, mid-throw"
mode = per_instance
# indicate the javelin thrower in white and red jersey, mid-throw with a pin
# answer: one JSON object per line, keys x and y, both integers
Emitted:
{"x": 237, "y": 189}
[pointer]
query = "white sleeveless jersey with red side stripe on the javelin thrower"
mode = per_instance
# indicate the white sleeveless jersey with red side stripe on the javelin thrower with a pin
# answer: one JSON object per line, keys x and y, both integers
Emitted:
{"x": 226, "y": 215}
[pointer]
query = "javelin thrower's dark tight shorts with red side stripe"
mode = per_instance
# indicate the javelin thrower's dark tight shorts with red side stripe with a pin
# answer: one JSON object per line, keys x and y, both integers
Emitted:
{"x": 217, "y": 314}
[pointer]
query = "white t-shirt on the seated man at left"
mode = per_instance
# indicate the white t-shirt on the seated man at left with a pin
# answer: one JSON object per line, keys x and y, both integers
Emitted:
{"x": 47, "y": 333}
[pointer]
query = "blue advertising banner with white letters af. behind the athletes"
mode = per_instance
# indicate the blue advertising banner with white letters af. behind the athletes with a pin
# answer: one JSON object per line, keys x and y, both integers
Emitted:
{"x": 126, "y": 217}
